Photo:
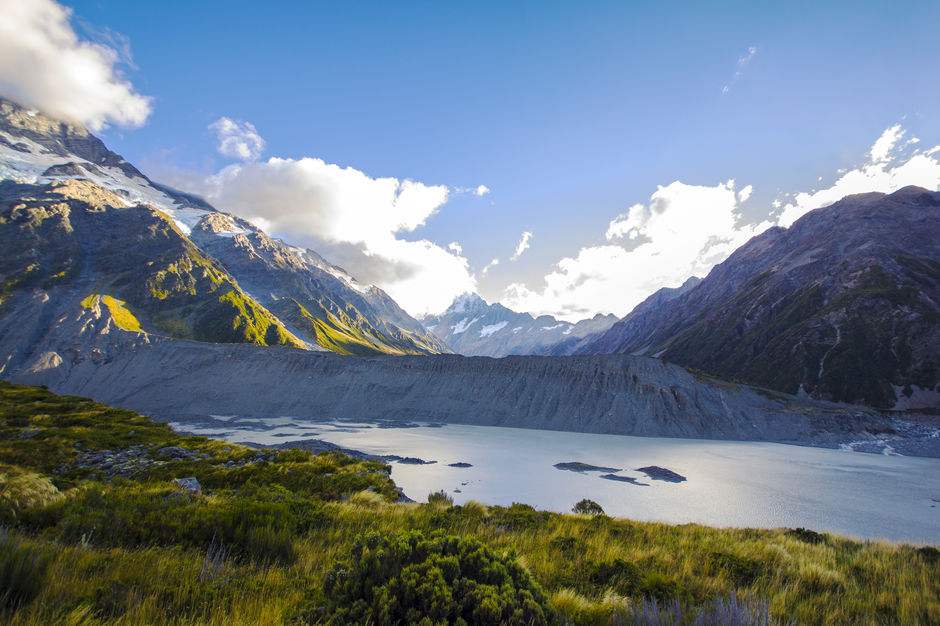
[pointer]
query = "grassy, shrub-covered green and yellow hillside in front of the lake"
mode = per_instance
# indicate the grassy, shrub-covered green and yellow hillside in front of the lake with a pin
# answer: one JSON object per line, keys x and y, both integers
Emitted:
{"x": 94, "y": 530}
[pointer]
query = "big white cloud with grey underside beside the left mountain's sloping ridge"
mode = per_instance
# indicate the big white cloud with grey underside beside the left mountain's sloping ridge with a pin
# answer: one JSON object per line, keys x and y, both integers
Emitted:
{"x": 353, "y": 220}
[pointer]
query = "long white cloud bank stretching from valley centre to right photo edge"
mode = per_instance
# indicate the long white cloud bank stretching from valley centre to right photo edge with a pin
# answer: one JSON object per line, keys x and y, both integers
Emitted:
{"x": 685, "y": 230}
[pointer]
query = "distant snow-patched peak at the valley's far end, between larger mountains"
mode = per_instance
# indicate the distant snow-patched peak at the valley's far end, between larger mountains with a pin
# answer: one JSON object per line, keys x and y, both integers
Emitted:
{"x": 472, "y": 327}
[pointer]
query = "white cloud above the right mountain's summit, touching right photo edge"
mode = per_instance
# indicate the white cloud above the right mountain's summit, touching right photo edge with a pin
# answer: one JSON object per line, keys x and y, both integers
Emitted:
{"x": 892, "y": 164}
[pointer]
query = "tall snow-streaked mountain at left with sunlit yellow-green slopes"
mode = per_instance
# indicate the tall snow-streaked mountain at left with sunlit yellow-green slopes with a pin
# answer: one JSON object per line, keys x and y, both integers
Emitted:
{"x": 80, "y": 224}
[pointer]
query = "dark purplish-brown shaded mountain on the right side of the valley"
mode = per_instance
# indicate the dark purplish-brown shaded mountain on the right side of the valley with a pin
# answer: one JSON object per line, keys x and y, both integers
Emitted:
{"x": 844, "y": 305}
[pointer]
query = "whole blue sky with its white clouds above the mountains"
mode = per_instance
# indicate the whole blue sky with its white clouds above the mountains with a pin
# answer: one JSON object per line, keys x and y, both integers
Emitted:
{"x": 558, "y": 157}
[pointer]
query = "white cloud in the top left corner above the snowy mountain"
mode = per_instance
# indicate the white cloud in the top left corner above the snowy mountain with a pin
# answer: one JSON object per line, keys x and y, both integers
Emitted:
{"x": 44, "y": 64}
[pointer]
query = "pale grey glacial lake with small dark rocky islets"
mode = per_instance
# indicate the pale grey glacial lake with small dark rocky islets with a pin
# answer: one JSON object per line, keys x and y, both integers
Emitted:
{"x": 728, "y": 483}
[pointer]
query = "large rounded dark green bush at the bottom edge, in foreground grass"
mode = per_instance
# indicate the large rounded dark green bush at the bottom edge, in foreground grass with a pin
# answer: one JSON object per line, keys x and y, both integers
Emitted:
{"x": 410, "y": 579}
